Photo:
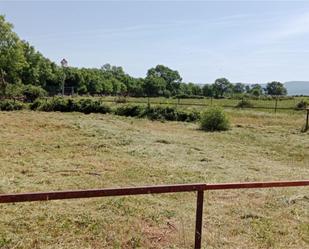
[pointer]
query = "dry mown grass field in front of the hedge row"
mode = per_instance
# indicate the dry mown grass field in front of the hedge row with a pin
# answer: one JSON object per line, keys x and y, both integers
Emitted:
{"x": 58, "y": 151}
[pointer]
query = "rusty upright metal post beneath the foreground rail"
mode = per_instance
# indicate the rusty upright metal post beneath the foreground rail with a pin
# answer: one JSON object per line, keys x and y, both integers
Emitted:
{"x": 199, "y": 220}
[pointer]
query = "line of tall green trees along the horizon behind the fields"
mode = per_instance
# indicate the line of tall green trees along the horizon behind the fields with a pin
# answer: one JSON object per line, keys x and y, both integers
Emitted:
{"x": 23, "y": 70}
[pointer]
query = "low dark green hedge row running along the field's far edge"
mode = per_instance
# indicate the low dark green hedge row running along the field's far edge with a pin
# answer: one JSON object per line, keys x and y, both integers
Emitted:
{"x": 129, "y": 110}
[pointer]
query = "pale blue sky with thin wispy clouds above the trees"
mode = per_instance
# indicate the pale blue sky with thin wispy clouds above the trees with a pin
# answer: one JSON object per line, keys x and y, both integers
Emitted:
{"x": 244, "y": 41}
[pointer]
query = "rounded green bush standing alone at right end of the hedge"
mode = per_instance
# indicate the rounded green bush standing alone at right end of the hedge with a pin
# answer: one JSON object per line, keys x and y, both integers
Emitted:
{"x": 214, "y": 119}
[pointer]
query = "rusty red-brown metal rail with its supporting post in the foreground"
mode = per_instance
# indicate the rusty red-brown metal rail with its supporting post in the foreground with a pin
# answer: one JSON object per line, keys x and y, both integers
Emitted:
{"x": 161, "y": 189}
